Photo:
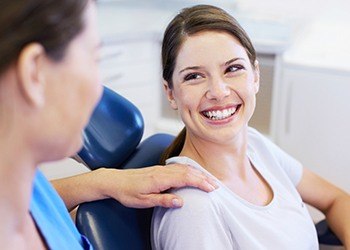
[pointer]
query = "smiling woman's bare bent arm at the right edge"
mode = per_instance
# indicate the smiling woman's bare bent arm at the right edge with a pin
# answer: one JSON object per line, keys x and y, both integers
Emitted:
{"x": 330, "y": 200}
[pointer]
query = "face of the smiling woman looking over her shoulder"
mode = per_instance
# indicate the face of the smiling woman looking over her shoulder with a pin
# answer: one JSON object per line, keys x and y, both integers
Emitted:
{"x": 214, "y": 86}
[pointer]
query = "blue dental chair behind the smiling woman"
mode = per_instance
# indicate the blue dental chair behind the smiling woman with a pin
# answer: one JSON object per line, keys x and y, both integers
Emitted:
{"x": 112, "y": 139}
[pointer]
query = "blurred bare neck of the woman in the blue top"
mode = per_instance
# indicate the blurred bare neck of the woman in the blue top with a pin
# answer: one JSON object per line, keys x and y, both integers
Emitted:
{"x": 17, "y": 169}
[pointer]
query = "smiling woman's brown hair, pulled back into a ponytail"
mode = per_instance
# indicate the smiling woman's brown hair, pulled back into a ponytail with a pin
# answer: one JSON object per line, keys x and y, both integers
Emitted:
{"x": 188, "y": 22}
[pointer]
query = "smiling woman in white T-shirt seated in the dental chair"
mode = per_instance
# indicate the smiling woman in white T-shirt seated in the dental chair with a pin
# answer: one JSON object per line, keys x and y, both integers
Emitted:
{"x": 211, "y": 76}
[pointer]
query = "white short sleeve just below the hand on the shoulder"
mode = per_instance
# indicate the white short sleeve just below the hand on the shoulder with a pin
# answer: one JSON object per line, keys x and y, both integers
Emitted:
{"x": 197, "y": 225}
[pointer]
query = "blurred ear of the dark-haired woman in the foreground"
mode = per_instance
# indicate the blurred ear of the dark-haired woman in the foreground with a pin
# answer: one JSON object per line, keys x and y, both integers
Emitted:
{"x": 31, "y": 80}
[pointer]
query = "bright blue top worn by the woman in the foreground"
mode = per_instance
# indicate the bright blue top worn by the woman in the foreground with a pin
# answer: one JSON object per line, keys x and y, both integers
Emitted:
{"x": 52, "y": 218}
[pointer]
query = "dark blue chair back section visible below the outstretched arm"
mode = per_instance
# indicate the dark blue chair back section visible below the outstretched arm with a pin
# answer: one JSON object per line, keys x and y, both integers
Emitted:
{"x": 110, "y": 225}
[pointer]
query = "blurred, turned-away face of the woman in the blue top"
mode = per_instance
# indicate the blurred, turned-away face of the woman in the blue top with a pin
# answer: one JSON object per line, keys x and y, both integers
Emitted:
{"x": 73, "y": 88}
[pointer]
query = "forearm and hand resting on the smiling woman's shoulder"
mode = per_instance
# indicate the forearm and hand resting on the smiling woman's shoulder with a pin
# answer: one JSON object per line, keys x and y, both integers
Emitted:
{"x": 138, "y": 188}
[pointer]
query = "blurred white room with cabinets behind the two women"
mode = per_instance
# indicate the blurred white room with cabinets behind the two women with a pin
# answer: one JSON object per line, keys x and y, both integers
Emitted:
{"x": 303, "y": 49}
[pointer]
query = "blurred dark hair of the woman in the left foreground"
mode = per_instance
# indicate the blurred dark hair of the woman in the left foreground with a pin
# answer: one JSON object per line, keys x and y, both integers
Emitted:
{"x": 52, "y": 23}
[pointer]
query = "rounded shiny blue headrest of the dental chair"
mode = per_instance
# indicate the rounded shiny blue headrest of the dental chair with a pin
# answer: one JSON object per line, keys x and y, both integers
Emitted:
{"x": 113, "y": 132}
